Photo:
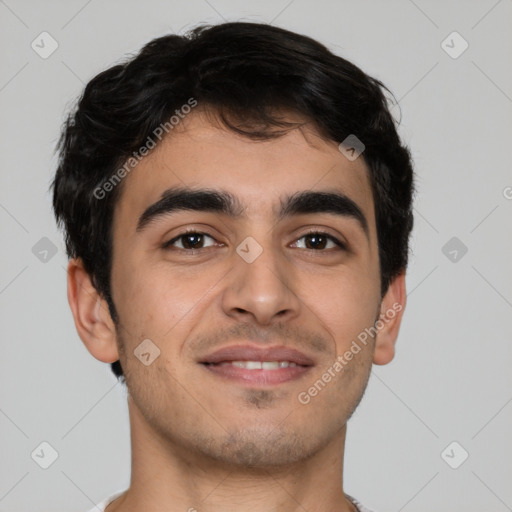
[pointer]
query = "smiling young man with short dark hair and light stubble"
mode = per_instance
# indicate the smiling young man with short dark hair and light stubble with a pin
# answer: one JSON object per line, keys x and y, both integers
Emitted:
{"x": 237, "y": 207}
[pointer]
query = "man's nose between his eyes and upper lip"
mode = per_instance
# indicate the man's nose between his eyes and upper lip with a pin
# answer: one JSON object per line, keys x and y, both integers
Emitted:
{"x": 262, "y": 290}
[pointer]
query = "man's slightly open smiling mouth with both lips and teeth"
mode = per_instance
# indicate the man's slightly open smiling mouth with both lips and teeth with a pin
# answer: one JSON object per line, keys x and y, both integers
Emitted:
{"x": 257, "y": 366}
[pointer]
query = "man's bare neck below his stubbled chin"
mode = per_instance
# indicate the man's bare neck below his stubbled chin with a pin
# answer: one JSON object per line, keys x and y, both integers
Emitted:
{"x": 167, "y": 476}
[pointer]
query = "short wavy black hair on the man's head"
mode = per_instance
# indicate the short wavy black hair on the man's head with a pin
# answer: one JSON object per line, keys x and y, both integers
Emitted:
{"x": 246, "y": 73}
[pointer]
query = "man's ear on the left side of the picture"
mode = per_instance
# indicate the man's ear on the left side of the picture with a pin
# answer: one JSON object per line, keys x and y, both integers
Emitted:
{"x": 90, "y": 312}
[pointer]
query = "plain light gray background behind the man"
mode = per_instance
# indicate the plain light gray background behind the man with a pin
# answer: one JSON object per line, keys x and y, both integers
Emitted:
{"x": 451, "y": 379}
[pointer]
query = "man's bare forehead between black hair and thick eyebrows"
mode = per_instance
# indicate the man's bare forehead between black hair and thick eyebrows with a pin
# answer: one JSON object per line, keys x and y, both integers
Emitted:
{"x": 202, "y": 154}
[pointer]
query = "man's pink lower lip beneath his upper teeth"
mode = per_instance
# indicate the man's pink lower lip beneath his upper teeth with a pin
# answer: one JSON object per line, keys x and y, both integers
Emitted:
{"x": 258, "y": 377}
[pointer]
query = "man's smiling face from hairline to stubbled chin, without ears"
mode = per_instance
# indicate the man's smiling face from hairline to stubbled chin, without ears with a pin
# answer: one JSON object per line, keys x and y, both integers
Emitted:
{"x": 262, "y": 282}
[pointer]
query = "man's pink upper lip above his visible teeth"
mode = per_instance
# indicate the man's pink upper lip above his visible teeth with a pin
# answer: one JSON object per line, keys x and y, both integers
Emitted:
{"x": 252, "y": 353}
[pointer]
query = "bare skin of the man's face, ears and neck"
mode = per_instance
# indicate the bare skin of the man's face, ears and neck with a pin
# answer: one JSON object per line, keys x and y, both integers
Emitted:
{"x": 200, "y": 441}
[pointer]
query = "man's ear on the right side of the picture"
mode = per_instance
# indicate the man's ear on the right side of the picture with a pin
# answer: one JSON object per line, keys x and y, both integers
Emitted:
{"x": 391, "y": 312}
